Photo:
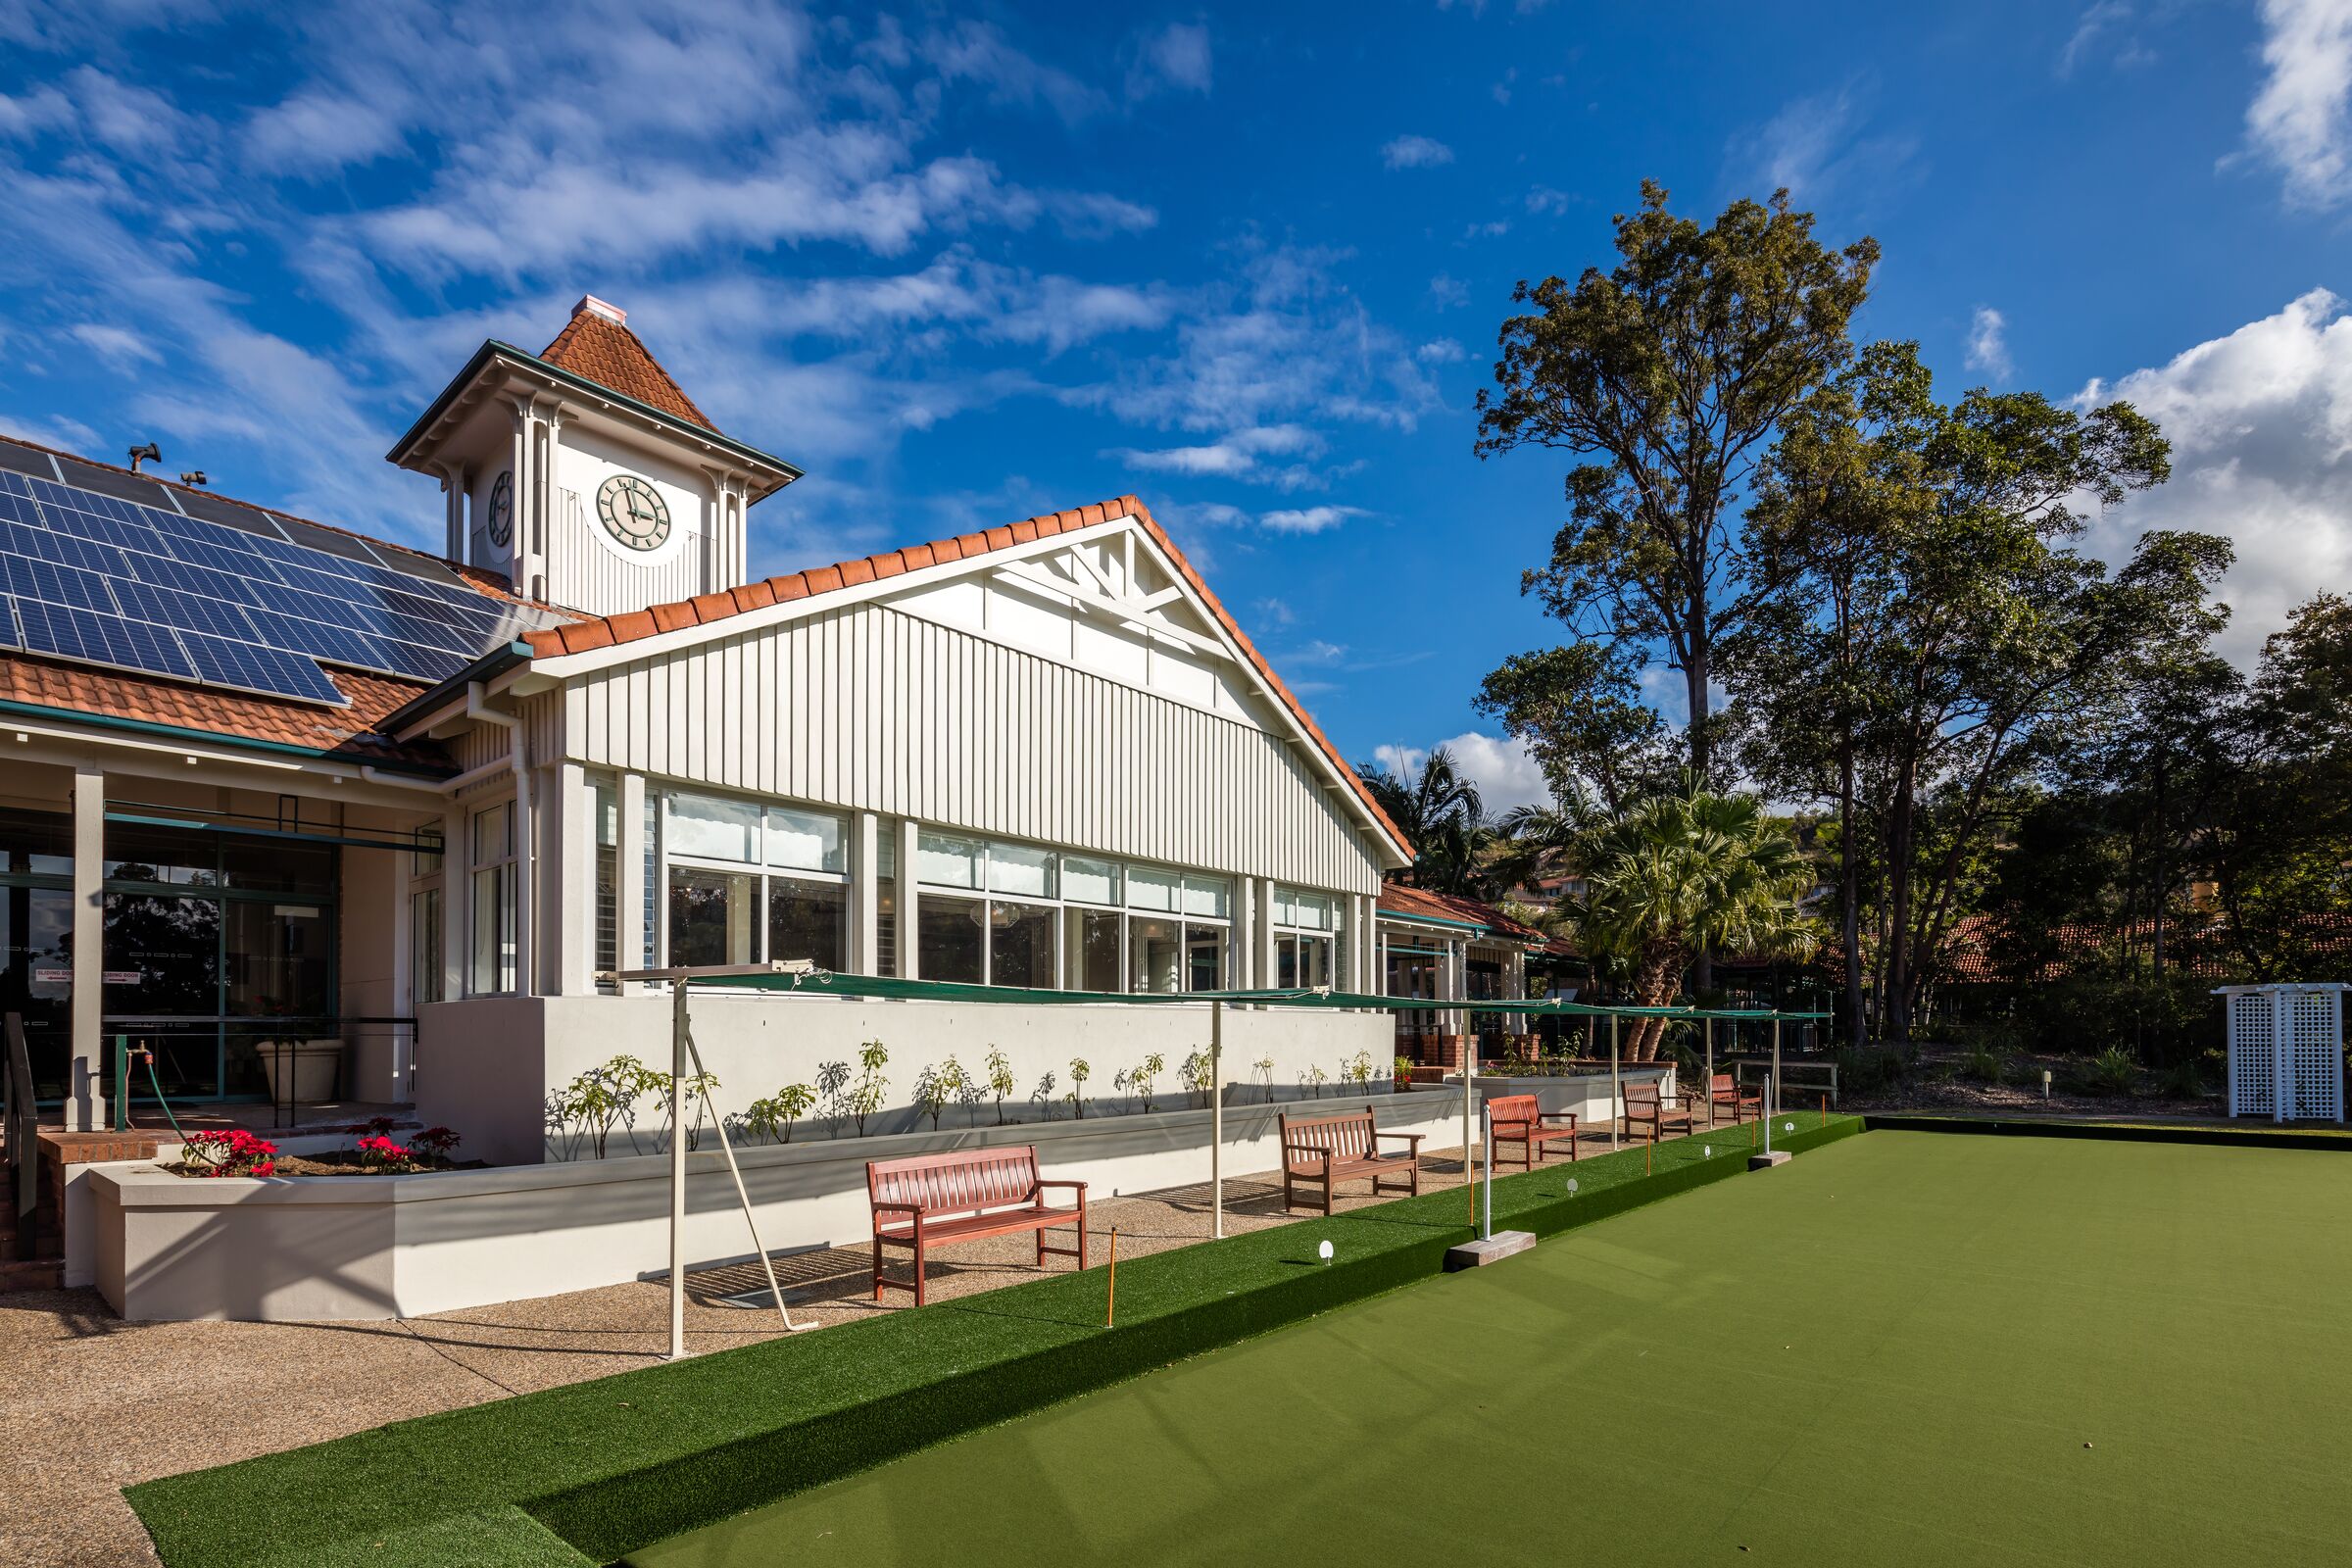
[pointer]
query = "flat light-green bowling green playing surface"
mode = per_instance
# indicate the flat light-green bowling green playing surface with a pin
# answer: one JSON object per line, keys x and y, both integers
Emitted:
{"x": 1902, "y": 1351}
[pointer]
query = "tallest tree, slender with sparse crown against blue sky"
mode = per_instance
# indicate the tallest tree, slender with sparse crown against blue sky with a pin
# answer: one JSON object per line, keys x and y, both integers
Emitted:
{"x": 1673, "y": 370}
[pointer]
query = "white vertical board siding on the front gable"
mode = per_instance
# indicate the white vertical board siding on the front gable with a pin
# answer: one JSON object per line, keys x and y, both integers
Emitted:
{"x": 878, "y": 711}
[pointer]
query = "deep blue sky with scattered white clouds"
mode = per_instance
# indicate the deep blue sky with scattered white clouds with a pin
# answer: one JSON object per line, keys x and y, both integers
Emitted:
{"x": 973, "y": 264}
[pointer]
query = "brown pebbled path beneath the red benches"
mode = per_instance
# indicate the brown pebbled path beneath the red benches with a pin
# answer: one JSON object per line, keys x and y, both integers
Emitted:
{"x": 93, "y": 1405}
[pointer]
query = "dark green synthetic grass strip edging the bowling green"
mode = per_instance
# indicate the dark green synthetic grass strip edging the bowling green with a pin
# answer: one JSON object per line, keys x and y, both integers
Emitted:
{"x": 624, "y": 1461}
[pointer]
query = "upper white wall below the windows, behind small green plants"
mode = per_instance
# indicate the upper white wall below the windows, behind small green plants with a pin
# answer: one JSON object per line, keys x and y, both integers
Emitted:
{"x": 488, "y": 1066}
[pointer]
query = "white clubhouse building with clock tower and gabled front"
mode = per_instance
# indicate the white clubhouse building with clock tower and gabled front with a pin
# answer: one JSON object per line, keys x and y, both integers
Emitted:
{"x": 1041, "y": 756}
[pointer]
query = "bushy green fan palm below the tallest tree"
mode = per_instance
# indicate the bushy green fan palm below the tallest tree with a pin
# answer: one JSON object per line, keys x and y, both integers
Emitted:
{"x": 1678, "y": 876}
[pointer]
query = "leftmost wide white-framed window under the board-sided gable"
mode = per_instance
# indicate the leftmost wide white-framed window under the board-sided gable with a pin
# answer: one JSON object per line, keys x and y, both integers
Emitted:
{"x": 754, "y": 883}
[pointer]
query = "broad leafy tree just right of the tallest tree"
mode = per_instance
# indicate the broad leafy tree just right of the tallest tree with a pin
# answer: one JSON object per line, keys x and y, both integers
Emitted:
{"x": 1939, "y": 645}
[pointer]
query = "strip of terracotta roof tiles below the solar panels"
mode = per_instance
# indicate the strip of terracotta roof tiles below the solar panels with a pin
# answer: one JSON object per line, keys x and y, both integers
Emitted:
{"x": 338, "y": 732}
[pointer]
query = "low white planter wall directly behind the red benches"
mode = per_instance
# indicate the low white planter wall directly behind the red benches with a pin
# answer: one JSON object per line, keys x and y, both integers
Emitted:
{"x": 380, "y": 1247}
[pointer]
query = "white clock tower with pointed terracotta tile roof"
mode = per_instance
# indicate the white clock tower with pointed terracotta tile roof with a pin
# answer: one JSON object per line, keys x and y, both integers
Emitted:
{"x": 587, "y": 476}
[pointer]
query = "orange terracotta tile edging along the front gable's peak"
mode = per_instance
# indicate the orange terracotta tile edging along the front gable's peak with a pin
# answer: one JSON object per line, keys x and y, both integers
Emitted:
{"x": 587, "y": 636}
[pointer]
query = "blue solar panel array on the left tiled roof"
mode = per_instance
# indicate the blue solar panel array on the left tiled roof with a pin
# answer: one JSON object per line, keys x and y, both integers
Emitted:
{"x": 227, "y": 598}
